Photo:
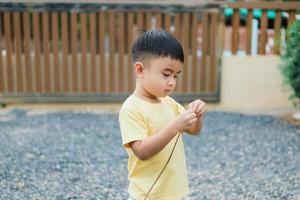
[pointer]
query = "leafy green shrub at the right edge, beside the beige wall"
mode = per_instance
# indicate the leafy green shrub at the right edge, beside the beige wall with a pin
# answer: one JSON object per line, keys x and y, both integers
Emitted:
{"x": 290, "y": 65}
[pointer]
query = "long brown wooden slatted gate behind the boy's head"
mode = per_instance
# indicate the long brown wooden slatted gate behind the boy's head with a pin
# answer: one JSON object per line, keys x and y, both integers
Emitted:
{"x": 82, "y": 52}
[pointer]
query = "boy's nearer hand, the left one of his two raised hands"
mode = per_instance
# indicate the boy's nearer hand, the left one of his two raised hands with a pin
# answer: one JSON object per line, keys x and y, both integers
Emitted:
{"x": 185, "y": 120}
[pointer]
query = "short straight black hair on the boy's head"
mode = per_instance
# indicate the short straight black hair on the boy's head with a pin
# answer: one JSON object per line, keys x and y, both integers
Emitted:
{"x": 157, "y": 43}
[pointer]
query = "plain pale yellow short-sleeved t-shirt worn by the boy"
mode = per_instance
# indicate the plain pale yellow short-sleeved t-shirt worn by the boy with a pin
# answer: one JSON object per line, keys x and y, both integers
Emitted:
{"x": 138, "y": 120}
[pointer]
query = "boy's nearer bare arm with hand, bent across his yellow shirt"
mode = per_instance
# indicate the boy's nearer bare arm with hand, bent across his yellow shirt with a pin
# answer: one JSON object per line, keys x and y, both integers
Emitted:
{"x": 145, "y": 149}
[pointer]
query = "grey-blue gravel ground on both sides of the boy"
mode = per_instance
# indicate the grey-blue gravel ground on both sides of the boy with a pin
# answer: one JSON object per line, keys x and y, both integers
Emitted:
{"x": 78, "y": 155}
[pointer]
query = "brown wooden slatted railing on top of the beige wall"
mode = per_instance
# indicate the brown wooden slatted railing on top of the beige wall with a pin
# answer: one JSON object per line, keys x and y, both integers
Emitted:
{"x": 264, "y": 33}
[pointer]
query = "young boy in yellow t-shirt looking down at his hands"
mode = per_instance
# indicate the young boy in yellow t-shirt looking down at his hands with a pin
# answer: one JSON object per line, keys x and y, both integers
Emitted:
{"x": 152, "y": 123}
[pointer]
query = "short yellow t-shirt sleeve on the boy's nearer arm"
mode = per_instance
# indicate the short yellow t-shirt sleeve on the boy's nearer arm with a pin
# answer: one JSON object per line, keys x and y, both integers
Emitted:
{"x": 132, "y": 126}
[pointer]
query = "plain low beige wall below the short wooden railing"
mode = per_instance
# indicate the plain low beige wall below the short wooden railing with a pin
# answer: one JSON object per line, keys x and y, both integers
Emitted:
{"x": 252, "y": 83}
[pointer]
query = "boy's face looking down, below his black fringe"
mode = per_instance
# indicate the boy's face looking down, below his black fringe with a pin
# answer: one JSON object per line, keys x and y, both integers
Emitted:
{"x": 159, "y": 76}
